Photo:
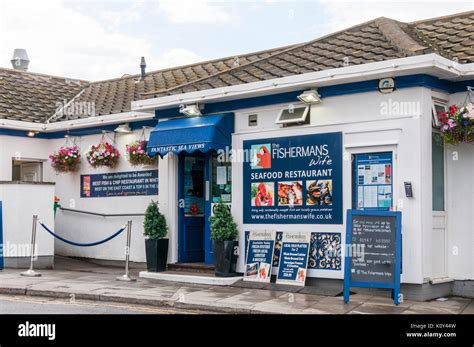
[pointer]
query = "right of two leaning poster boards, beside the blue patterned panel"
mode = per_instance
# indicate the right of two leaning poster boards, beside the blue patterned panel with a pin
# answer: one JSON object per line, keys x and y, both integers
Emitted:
{"x": 294, "y": 258}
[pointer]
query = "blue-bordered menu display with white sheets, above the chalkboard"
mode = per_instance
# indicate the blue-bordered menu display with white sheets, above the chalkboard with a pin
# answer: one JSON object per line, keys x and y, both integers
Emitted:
{"x": 373, "y": 177}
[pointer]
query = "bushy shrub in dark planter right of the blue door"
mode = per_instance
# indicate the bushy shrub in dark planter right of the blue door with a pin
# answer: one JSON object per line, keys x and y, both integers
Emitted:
{"x": 223, "y": 234}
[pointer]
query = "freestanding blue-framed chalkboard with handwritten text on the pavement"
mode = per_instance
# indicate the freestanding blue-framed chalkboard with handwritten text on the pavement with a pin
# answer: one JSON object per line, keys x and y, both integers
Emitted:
{"x": 373, "y": 251}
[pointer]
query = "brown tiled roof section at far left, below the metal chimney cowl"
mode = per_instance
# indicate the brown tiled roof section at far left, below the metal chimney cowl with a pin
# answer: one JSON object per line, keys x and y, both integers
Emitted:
{"x": 34, "y": 97}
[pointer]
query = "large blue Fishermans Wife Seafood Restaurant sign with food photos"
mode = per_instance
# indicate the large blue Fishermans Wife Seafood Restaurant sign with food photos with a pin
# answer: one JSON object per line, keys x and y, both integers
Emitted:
{"x": 293, "y": 180}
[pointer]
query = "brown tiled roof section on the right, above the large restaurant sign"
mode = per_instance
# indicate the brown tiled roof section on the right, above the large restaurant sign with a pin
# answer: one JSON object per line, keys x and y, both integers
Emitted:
{"x": 377, "y": 40}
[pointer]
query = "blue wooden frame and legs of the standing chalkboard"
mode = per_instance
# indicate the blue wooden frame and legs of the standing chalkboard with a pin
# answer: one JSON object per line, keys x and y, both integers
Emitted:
{"x": 395, "y": 286}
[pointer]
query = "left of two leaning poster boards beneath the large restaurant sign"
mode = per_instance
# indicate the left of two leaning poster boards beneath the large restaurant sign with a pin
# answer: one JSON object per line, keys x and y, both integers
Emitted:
{"x": 258, "y": 263}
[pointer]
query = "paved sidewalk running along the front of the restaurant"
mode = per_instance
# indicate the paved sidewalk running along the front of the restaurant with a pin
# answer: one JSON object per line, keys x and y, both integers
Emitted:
{"x": 91, "y": 282}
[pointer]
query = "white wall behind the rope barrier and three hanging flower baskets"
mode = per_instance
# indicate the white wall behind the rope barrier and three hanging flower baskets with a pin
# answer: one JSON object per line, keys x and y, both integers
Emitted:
{"x": 86, "y": 228}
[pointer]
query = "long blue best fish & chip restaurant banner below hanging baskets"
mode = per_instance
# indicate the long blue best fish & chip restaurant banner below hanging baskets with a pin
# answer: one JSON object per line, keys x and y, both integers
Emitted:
{"x": 131, "y": 183}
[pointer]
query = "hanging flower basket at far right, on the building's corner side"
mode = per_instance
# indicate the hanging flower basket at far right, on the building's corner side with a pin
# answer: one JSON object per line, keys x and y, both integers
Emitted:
{"x": 457, "y": 124}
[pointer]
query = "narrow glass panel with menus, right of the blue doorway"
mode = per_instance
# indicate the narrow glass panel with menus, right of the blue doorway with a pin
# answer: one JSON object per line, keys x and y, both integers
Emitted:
{"x": 221, "y": 181}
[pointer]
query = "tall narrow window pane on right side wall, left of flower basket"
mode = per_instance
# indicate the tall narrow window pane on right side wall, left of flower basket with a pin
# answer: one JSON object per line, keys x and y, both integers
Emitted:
{"x": 437, "y": 146}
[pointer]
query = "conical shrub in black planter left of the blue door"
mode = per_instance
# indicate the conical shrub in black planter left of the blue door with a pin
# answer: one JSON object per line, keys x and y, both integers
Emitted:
{"x": 156, "y": 246}
